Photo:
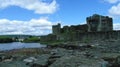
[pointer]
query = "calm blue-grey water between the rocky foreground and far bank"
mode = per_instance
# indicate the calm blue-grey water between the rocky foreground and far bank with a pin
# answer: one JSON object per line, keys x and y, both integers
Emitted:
{"x": 18, "y": 45}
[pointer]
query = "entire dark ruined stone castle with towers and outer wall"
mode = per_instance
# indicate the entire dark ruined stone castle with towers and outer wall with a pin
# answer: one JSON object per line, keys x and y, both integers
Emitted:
{"x": 97, "y": 27}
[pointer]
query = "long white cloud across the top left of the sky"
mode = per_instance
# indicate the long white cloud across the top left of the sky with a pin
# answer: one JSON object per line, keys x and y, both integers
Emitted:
{"x": 37, "y": 6}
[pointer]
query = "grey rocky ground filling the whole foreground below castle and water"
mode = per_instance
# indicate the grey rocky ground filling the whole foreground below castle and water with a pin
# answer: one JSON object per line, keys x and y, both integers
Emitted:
{"x": 72, "y": 54}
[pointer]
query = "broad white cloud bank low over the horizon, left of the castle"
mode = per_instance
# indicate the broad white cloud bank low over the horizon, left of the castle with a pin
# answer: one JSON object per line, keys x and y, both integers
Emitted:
{"x": 40, "y": 26}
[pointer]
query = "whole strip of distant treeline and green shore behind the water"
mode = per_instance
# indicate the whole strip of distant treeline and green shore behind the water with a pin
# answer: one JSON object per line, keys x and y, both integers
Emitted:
{"x": 15, "y": 38}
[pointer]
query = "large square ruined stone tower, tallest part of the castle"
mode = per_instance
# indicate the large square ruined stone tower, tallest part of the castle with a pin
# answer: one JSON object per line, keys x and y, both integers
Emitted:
{"x": 99, "y": 23}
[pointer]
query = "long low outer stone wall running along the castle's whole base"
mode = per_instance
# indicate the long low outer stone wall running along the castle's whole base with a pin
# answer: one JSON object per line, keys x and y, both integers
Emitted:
{"x": 80, "y": 36}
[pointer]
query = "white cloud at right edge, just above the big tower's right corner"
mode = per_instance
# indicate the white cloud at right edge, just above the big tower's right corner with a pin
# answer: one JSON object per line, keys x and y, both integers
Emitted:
{"x": 115, "y": 10}
